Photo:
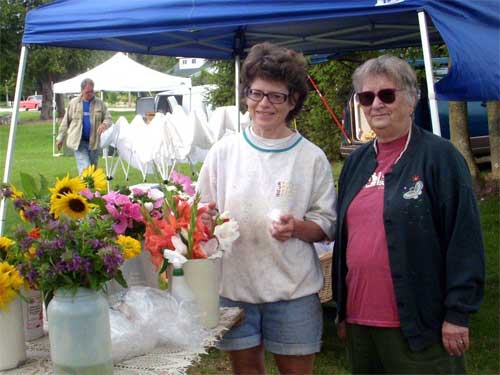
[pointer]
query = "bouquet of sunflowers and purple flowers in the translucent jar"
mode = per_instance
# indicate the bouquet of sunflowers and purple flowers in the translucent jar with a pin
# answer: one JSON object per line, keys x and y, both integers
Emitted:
{"x": 71, "y": 239}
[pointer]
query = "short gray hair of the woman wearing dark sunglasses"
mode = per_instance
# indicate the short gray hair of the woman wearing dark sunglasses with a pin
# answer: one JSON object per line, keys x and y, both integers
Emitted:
{"x": 394, "y": 68}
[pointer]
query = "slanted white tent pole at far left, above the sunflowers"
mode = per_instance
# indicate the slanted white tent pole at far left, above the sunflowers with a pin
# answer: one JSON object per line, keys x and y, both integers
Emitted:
{"x": 13, "y": 128}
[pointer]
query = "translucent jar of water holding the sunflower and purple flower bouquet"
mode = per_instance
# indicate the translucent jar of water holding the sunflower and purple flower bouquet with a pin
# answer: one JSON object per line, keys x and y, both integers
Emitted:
{"x": 79, "y": 333}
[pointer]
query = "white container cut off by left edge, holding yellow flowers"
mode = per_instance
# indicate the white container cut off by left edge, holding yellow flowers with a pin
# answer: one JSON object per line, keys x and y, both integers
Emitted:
{"x": 12, "y": 346}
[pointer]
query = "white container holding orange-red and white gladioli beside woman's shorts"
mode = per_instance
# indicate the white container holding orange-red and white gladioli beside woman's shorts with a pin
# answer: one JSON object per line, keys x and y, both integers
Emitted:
{"x": 202, "y": 276}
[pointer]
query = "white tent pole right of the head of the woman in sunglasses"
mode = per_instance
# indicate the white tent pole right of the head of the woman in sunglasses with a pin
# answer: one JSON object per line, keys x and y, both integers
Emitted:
{"x": 429, "y": 76}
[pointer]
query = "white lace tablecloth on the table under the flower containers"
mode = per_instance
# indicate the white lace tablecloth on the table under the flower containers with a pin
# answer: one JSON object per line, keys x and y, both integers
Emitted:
{"x": 162, "y": 360}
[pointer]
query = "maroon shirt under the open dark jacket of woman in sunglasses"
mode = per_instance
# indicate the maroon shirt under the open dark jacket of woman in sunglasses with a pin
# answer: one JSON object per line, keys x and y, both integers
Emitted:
{"x": 370, "y": 292}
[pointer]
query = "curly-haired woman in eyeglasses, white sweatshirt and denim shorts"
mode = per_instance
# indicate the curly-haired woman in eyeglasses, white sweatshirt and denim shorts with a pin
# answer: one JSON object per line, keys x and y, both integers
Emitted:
{"x": 279, "y": 187}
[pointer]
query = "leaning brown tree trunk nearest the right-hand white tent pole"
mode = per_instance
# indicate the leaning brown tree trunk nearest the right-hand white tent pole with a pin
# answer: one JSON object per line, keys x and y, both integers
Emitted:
{"x": 459, "y": 135}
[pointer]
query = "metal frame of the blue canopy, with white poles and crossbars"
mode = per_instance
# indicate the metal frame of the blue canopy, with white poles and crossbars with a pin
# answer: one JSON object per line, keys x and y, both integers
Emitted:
{"x": 277, "y": 39}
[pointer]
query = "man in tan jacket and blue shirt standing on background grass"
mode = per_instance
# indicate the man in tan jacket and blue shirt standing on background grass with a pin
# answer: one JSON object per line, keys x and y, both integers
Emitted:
{"x": 85, "y": 120}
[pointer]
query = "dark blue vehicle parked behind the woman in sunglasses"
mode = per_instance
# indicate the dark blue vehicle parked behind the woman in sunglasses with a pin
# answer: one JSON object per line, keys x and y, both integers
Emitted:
{"x": 359, "y": 131}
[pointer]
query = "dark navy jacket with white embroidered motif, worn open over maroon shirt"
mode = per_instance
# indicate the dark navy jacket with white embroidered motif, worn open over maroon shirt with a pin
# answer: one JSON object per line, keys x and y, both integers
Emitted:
{"x": 433, "y": 232}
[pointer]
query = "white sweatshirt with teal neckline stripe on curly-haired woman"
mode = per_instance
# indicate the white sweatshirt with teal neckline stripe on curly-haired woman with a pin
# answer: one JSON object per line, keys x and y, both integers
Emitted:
{"x": 250, "y": 176}
